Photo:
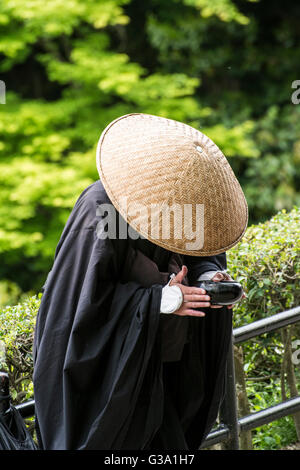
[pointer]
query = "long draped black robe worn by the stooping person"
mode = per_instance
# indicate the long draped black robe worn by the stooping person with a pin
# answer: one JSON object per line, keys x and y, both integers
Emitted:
{"x": 99, "y": 379}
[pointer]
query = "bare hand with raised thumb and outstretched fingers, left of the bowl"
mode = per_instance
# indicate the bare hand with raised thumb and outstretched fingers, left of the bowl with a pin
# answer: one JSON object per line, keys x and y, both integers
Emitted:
{"x": 193, "y": 297}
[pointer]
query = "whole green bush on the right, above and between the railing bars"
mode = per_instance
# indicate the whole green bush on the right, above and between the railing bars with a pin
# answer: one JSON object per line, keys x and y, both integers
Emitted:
{"x": 267, "y": 263}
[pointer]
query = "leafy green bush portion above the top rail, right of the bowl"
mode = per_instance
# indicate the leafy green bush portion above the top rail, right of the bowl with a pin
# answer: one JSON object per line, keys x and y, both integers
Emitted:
{"x": 267, "y": 263}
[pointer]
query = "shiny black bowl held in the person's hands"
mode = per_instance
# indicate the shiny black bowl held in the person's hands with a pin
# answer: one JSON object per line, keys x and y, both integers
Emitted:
{"x": 222, "y": 292}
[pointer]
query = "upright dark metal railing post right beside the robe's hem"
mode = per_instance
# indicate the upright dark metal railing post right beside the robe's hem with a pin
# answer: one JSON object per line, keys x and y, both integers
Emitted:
{"x": 229, "y": 414}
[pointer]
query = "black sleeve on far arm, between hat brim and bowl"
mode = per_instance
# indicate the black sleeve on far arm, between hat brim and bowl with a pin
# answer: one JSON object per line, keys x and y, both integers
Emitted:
{"x": 198, "y": 265}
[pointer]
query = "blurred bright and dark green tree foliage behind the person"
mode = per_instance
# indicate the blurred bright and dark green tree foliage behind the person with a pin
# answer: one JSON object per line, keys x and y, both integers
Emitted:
{"x": 72, "y": 66}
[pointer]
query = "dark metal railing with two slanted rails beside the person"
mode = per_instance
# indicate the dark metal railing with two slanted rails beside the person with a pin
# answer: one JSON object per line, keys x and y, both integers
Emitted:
{"x": 231, "y": 426}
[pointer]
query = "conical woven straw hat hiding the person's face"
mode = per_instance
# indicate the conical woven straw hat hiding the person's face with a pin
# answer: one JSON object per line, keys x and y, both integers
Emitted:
{"x": 171, "y": 184}
